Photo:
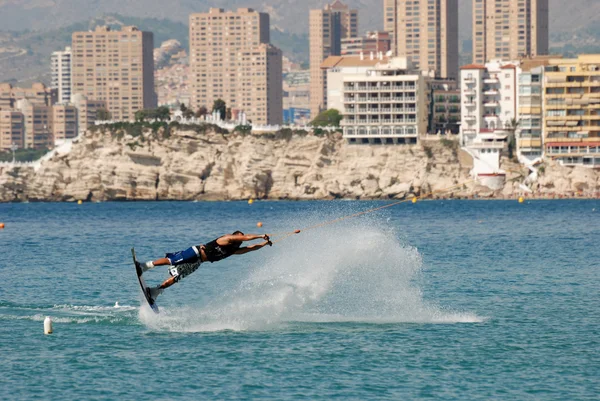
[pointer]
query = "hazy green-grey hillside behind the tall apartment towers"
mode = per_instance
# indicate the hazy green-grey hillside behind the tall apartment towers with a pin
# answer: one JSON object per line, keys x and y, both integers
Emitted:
{"x": 32, "y": 29}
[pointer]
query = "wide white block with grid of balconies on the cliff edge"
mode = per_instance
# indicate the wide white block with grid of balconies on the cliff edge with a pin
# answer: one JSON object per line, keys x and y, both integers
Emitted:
{"x": 382, "y": 100}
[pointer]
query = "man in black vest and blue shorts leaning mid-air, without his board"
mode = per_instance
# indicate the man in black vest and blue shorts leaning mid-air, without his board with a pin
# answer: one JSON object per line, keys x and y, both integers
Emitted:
{"x": 184, "y": 263}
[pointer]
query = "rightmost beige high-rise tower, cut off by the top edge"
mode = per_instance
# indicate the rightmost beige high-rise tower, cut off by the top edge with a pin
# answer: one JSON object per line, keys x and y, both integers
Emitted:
{"x": 509, "y": 29}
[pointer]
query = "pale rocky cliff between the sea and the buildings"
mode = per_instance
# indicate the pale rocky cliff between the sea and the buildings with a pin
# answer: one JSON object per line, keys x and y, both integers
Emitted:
{"x": 200, "y": 164}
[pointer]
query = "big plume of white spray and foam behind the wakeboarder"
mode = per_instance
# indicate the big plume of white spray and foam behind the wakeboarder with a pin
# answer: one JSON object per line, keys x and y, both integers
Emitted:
{"x": 353, "y": 272}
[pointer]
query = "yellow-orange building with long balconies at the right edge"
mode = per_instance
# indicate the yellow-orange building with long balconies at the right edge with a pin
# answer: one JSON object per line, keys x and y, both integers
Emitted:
{"x": 571, "y": 110}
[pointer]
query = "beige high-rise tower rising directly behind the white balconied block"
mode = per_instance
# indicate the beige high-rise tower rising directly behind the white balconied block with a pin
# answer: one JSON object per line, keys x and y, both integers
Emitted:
{"x": 426, "y": 32}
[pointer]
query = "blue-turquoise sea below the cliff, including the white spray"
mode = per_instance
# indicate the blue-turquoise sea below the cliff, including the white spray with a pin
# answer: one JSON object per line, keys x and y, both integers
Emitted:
{"x": 450, "y": 300}
